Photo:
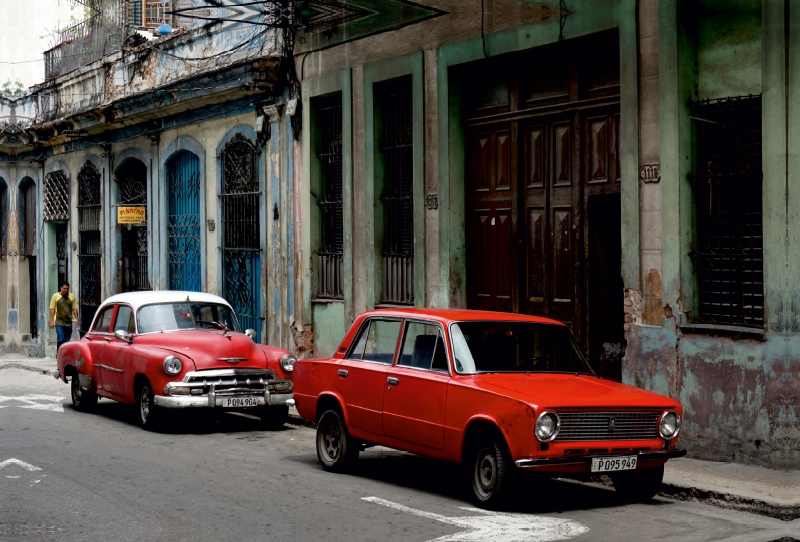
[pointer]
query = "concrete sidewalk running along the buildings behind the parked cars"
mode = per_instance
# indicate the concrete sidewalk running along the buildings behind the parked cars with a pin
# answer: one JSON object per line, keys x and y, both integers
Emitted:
{"x": 773, "y": 493}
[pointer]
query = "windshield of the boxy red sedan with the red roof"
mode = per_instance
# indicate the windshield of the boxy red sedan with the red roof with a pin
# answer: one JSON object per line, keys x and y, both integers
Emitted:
{"x": 515, "y": 347}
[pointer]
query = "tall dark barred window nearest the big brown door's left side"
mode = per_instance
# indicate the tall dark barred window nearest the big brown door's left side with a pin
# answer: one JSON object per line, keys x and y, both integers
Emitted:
{"x": 397, "y": 148}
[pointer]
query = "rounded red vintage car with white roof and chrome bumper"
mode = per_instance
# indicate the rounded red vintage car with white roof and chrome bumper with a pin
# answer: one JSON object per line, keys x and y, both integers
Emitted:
{"x": 176, "y": 350}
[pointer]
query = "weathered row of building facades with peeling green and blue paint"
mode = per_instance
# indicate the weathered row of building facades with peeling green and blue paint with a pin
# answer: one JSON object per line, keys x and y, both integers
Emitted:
{"x": 623, "y": 166}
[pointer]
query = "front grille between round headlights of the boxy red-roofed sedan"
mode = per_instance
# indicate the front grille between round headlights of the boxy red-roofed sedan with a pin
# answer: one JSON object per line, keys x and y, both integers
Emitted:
{"x": 595, "y": 426}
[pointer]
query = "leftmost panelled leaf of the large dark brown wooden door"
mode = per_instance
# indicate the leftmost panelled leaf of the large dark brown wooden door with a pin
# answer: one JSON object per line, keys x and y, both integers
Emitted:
{"x": 490, "y": 250}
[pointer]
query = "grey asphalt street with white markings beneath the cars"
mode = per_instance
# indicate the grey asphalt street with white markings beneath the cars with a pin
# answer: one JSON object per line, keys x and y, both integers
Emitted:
{"x": 67, "y": 475}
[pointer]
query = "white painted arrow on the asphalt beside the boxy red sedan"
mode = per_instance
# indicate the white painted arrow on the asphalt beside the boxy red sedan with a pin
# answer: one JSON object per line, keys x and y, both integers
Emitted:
{"x": 497, "y": 526}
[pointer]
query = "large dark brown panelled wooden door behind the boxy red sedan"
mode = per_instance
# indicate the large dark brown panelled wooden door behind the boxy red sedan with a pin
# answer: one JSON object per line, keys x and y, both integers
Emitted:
{"x": 543, "y": 226}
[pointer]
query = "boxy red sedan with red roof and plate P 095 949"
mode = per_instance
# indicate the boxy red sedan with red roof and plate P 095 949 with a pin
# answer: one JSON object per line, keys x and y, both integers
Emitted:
{"x": 499, "y": 392}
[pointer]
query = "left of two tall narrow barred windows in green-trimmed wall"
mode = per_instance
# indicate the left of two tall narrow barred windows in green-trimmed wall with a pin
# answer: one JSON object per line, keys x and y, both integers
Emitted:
{"x": 331, "y": 253}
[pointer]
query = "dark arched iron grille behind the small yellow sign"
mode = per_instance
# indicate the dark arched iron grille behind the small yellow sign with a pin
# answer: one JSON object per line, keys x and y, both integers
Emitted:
{"x": 132, "y": 178}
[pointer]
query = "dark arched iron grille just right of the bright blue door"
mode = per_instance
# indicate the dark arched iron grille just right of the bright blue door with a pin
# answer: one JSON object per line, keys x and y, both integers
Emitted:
{"x": 241, "y": 231}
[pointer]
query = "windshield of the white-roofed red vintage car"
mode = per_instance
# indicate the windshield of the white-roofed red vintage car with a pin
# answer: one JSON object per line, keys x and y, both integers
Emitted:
{"x": 186, "y": 315}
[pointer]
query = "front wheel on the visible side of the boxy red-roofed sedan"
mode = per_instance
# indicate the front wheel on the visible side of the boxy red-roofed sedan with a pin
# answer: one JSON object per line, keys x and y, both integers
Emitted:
{"x": 491, "y": 472}
